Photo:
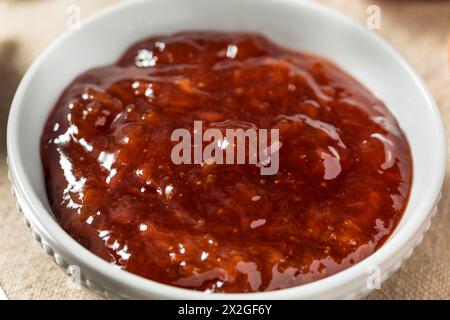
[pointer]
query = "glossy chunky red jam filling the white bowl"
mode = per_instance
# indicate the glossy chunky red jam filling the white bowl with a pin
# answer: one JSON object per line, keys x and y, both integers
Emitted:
{"x": 344, "y": 170}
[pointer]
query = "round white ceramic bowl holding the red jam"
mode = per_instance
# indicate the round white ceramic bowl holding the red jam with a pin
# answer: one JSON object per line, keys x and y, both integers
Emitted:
{"x": 302, "y": 25}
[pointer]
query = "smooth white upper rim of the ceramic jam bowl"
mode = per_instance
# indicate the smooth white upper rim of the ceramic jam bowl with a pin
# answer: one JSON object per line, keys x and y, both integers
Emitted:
{"x": 44, "y": 222}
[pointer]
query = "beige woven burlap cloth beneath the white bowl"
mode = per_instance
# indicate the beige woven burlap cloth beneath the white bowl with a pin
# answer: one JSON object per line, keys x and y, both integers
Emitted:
{"x": 418, "y": 29}
